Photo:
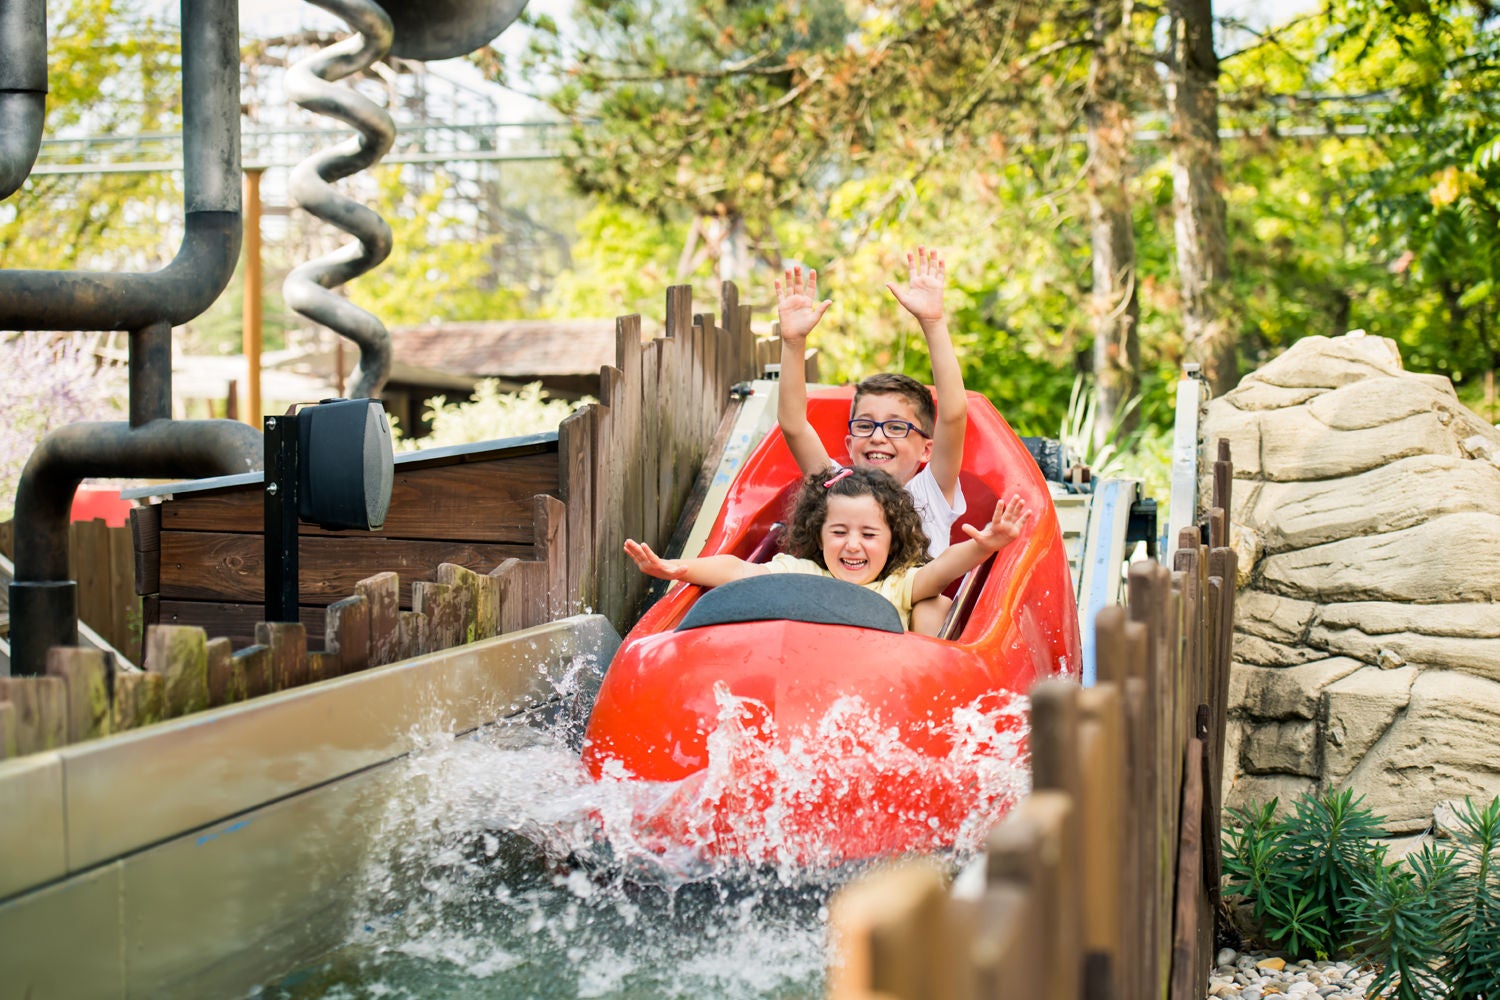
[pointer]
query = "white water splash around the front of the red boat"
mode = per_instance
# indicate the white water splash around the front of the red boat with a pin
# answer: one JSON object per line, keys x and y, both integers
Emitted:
{"x": 503, "y": 870}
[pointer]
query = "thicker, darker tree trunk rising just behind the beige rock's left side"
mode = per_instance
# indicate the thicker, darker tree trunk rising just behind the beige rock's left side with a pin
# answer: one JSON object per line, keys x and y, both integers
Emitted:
{"x": 1198, "y": 202}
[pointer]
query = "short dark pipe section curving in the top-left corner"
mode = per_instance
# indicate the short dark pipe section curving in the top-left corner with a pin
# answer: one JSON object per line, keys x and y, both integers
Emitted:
{"x": 23, "y": 89}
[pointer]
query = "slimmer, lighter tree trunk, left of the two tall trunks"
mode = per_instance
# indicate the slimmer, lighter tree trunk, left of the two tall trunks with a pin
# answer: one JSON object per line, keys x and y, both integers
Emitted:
{"x": 1114, "y": 307}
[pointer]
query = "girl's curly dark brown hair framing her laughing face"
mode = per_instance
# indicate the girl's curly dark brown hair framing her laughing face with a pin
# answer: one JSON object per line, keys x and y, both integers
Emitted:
{"x": 809, "y": 510}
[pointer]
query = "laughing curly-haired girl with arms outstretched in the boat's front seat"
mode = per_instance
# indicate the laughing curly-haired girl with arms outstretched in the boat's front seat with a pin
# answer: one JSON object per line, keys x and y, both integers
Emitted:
{"x": 860, "y": 527}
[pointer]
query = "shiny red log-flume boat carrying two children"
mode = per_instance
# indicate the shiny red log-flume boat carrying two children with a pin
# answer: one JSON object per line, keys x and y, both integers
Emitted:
{"x": 794, "y": 722}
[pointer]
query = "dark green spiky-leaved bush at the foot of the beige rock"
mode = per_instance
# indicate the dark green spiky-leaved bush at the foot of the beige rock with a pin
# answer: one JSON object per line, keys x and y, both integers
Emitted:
{"x": 1319, "y": 885}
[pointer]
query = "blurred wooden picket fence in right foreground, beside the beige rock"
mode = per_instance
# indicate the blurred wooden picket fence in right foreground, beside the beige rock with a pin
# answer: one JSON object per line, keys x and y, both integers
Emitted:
{"x": 1103, "y": 882}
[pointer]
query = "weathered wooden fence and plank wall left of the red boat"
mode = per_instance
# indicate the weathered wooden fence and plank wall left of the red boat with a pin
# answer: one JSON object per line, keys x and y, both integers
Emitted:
{"x": 487, "y": 540}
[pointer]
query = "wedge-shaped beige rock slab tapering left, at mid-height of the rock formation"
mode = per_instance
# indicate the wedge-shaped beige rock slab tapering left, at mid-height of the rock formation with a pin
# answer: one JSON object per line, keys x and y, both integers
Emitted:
{"x": 1450, "y": 558}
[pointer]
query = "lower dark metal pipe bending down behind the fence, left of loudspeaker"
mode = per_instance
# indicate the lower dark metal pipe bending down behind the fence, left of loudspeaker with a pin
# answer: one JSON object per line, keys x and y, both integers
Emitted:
{"x": 44, "y": 600}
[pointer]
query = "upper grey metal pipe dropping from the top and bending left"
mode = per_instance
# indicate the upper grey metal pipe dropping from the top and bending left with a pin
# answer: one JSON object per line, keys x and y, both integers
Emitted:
{"x": 101, "y": 301}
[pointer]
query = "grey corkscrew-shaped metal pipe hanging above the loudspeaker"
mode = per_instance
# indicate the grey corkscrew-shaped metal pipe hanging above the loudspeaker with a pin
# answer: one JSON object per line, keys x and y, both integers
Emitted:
{"x": 308, "y": 289}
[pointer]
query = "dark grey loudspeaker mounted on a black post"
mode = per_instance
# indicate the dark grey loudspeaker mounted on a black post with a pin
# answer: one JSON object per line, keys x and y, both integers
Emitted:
{"x": 347, "y": 466}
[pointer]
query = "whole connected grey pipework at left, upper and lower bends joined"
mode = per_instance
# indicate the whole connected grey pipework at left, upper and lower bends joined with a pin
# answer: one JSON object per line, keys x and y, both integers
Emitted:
{"x": 44, "y": 602}
